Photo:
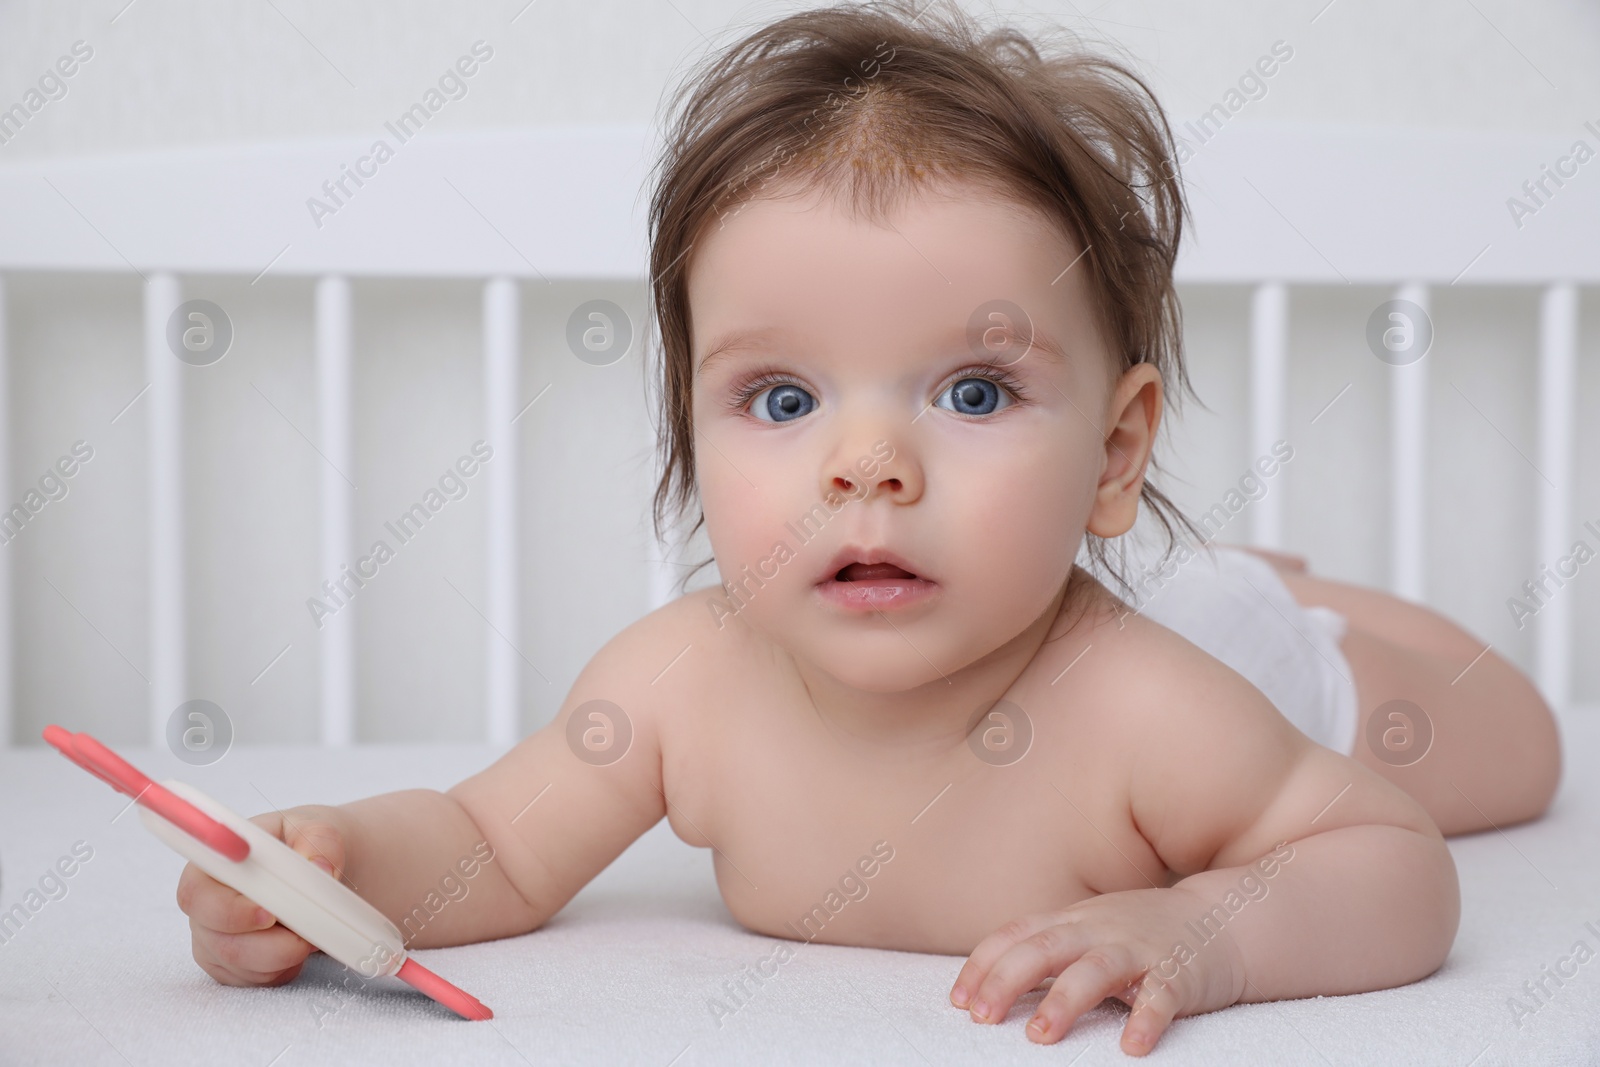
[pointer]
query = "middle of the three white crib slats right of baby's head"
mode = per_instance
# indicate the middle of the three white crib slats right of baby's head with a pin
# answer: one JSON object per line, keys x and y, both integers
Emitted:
{"x": 1409, "y": 460}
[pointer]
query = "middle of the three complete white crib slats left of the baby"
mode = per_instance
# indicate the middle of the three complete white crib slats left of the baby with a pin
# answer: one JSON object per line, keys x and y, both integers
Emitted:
{"x": 338, "y": 503}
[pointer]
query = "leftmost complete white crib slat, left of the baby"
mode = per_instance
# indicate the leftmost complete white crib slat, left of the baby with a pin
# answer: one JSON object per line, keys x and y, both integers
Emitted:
{"x": 162, "y": 297}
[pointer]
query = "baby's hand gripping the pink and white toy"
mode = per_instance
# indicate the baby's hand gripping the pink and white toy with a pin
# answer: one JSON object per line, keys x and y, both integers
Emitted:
{"x": 239, "y": 943}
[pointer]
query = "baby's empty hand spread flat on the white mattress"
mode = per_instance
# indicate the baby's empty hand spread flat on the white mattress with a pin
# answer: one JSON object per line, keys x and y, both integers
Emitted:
{"x": 1118, "y": 945}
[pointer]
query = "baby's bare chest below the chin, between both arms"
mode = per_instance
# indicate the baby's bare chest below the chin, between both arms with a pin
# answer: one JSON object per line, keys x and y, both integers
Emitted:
{"x": 847, "y": 841}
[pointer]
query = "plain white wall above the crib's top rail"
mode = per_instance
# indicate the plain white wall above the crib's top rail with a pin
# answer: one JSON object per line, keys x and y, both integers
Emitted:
{"x": 178, "y": 74}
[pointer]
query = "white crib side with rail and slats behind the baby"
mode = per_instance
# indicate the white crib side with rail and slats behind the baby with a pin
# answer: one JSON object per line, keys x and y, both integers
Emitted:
{"x": 538, "y": 220}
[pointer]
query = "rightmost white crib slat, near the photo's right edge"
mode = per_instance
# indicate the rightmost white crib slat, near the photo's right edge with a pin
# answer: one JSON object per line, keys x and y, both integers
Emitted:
{"x": 1558, "y": 414}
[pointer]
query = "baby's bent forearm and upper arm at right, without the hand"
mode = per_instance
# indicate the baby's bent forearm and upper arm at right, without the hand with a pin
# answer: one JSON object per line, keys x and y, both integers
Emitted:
{"x": 1364, "y": 895}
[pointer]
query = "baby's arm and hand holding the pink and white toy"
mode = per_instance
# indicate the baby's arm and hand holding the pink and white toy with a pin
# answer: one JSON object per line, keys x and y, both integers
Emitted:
{"x": 534, "y": 829}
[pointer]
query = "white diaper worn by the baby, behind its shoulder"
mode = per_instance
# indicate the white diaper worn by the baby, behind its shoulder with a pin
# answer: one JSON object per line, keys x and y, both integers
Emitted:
{"x": 1234, "y": 605}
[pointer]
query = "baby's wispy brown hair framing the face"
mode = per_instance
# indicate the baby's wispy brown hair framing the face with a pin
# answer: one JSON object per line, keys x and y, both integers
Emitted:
{"x": 878, "y": 100}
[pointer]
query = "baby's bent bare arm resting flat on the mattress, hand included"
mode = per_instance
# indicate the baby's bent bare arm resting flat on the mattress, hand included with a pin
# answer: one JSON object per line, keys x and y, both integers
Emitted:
{"x": 1306, "y": 873}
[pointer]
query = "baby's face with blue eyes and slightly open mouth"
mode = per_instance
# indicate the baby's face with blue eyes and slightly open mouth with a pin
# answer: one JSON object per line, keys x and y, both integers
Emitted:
{"x": 858, "y": 418}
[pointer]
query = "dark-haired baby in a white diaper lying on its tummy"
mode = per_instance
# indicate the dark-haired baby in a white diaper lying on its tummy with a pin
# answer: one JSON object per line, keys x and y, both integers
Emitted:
{"x": 918, "y": 324}
